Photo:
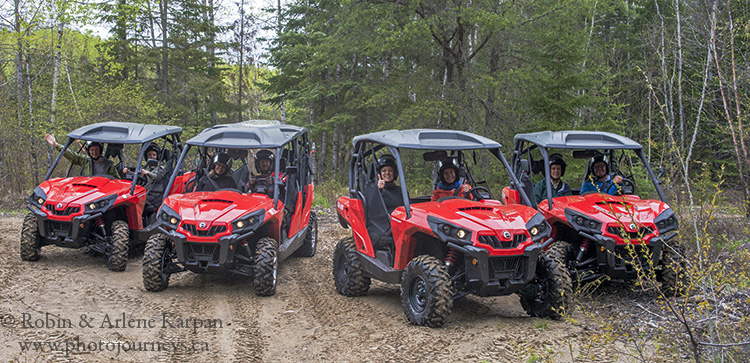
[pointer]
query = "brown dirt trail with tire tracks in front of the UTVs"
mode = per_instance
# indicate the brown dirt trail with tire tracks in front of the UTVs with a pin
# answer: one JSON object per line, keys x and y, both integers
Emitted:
{"x": 69, "y": 298}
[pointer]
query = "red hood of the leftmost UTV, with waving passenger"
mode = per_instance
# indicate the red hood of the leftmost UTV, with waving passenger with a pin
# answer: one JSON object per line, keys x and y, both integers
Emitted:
{"x": 79, "y": 191}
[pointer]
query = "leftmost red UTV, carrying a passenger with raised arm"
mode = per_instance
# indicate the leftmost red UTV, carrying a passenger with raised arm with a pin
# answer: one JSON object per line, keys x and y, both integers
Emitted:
{"x": 106, "y": 214}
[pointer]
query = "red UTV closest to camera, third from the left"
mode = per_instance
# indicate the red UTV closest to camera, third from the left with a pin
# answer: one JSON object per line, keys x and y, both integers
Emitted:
{"x": 446, "y": 249}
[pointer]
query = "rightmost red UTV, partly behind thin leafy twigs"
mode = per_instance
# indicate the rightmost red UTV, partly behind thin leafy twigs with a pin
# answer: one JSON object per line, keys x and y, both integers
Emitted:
{"x": 601, "y": 234}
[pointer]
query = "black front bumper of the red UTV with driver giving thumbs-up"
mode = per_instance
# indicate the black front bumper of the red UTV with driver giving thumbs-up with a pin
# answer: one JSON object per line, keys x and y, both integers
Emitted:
{"x": 498, "y": 275}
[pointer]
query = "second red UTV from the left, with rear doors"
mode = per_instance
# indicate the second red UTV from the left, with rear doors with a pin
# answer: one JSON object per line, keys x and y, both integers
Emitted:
{"x": 247, "y": 228}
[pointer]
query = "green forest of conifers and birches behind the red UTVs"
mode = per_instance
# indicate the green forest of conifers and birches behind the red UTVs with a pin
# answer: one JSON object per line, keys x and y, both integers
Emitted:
{"x": 671, "y": 74}
